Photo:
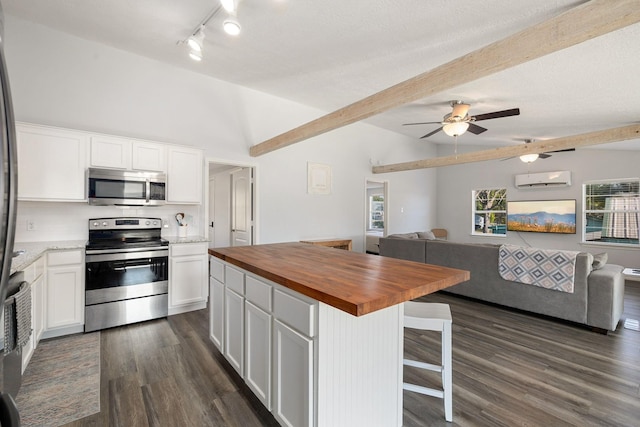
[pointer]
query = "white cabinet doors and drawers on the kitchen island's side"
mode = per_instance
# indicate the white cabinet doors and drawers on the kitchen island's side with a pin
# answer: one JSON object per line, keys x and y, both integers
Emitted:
{"x": 267, "y": 333}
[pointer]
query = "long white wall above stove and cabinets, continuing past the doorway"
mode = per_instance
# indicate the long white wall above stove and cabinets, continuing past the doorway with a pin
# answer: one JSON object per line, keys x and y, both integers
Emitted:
{"x": 60, "y": 80}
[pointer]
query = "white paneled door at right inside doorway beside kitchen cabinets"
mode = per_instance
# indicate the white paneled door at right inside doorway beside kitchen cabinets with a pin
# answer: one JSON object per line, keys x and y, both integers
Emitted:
{"x": 241, "y": 207}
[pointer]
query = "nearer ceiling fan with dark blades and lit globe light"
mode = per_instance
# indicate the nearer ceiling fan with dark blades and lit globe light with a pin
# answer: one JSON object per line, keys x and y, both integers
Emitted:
{"x": 459, "y": 121}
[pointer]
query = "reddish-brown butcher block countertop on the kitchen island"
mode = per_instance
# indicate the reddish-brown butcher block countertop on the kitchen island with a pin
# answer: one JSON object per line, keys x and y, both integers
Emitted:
{"x": 352, "y": 282}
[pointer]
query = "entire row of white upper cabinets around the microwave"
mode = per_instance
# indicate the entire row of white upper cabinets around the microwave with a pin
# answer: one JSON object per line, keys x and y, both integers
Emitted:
{"x": 52, "y": 163}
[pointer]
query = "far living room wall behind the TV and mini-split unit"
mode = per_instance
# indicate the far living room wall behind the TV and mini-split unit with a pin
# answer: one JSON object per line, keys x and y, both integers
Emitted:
{"x": 455, "y": 184}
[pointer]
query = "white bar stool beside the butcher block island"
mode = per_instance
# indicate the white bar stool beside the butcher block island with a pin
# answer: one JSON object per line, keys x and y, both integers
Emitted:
{"x": 432, "y": 317}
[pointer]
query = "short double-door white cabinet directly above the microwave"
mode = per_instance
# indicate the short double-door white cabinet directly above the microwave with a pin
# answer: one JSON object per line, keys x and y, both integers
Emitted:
{"x": 122, "y": 153}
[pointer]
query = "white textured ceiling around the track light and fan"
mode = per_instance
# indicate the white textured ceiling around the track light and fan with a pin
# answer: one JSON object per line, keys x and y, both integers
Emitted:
{"x": 330, "y": 53}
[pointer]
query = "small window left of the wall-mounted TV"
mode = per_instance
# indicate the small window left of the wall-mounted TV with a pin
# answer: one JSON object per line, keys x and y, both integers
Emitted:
{"x": 489, "y": 212}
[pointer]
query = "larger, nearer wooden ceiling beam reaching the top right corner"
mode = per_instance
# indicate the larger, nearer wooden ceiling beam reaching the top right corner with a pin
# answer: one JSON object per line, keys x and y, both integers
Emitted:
{"x": 589, "y": 20}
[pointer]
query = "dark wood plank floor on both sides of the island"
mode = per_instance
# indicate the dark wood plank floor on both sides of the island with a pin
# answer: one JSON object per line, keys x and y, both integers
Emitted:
{"x": 509, "y": 369}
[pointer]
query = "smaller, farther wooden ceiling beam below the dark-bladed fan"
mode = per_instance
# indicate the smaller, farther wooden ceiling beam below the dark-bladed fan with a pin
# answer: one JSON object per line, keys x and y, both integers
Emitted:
{"x": 592, "y": 138}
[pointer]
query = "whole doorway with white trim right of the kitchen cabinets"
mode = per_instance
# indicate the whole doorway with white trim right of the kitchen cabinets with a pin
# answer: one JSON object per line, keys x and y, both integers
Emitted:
{"x": 231, "y": 204}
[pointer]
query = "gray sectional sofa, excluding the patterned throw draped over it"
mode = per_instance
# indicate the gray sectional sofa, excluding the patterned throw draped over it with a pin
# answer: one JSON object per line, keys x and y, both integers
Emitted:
{"x": 597, "y": 300}
